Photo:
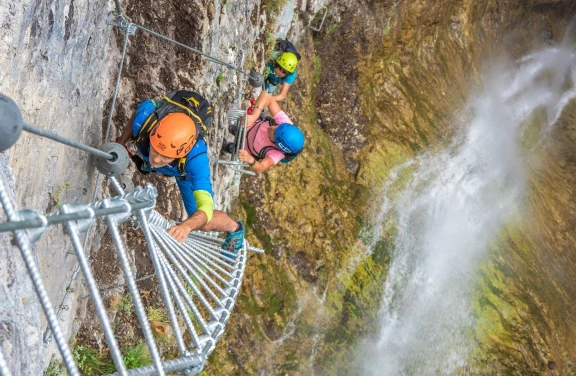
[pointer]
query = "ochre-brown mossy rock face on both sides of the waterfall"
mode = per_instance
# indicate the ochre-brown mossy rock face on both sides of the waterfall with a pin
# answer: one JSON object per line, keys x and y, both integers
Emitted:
{"x": 309, "y": 300}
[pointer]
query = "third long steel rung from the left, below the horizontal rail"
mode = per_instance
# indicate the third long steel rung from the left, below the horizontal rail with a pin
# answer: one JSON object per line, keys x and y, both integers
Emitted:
{"x": 135, "y": 294}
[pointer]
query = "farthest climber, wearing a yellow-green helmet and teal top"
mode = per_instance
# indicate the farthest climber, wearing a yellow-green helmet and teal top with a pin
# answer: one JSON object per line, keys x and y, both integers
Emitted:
{"x": 281, "y": 69}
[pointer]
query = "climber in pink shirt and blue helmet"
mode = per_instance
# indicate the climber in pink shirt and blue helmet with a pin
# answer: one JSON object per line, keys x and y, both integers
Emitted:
{"x": 269, "y": 140}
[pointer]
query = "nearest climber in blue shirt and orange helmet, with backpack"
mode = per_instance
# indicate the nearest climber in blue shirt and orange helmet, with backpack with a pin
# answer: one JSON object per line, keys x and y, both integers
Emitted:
{"x": 169, "y": 137}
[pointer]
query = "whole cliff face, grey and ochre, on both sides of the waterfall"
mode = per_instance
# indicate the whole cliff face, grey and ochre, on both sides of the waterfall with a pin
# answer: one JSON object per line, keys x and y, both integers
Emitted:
{"x": 375, "y": 87}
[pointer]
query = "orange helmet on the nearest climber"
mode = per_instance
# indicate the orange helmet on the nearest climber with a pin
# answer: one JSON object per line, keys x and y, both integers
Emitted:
{"x": 174, "y": 135}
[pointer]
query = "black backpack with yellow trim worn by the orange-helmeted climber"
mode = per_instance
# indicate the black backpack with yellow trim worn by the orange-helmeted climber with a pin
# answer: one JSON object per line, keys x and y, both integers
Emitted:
{"x": 149, "y": 113}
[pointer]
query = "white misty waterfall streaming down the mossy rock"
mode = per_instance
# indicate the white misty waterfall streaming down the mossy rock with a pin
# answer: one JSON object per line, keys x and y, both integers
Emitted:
{"x": 452, "y": 208}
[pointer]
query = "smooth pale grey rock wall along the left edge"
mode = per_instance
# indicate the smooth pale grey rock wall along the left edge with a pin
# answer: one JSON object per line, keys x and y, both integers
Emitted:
{"x": 54, "y": 63}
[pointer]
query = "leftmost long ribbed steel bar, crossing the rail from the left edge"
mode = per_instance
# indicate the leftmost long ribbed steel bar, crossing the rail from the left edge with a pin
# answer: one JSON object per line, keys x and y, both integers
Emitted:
{"x": 24, "y": 246}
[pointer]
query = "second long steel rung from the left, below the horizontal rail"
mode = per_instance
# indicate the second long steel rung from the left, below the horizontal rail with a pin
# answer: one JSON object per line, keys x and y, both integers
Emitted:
{"x": 96, "y": 299}
